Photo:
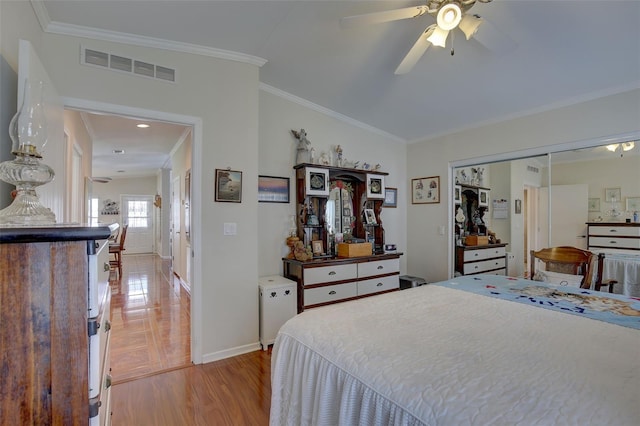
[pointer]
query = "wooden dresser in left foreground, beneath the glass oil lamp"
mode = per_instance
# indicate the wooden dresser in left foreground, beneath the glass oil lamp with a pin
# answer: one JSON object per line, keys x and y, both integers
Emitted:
{"x": 54, "y": 335}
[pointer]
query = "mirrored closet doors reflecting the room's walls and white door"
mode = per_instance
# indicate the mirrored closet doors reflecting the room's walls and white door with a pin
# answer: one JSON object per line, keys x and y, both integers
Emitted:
{"x": 546, "y": 201}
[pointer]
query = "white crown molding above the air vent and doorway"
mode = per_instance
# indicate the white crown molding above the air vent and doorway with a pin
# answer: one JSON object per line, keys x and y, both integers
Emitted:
{"x": 54, "y": 27}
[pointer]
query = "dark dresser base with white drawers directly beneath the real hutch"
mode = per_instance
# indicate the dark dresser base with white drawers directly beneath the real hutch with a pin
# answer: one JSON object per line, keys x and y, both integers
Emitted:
{"x": 325, "y": 281}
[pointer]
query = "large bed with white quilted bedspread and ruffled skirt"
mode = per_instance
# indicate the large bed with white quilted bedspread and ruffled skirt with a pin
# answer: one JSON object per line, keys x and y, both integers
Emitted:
{"x": 471, "y": 350}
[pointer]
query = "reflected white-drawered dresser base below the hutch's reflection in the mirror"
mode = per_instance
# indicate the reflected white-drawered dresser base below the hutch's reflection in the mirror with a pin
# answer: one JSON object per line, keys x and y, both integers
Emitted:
{"x": 487, "y": 259}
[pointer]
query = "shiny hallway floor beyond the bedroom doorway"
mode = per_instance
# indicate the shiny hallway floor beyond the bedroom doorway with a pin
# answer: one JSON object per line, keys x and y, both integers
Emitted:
{"x": 150, "y": 319}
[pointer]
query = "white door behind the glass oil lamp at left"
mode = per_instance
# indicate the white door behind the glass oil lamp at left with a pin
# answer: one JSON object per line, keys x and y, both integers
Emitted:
{"x": 30, "y": 69}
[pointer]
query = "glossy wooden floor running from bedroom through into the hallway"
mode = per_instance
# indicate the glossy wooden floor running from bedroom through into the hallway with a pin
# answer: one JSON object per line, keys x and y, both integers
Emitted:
{"x": 154, "y": 380}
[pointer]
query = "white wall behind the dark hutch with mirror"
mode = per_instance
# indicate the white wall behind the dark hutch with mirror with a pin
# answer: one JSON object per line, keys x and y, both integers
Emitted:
{"x": 278, "y": 116}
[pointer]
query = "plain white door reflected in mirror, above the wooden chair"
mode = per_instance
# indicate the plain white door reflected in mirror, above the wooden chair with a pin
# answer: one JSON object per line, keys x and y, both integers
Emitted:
{"x": 567, "y": 217}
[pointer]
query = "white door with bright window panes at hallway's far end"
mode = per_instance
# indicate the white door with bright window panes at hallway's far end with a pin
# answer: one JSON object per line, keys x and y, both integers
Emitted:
{"x": 137, "y": 213}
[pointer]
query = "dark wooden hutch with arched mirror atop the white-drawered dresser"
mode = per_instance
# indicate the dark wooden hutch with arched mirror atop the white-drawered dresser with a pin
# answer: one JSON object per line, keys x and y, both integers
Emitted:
{"x": 334, "y": 200}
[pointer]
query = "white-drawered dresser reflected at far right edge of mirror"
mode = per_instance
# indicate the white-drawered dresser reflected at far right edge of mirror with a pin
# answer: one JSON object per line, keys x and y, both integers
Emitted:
{"x": 614, "y": 235}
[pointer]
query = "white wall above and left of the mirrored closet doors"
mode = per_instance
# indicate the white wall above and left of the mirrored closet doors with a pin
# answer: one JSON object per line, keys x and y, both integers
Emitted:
{"x": 429, "y": 254}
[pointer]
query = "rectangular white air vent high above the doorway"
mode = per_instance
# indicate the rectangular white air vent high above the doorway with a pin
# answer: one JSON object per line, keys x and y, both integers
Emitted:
{"x": 128, "y": 65}
